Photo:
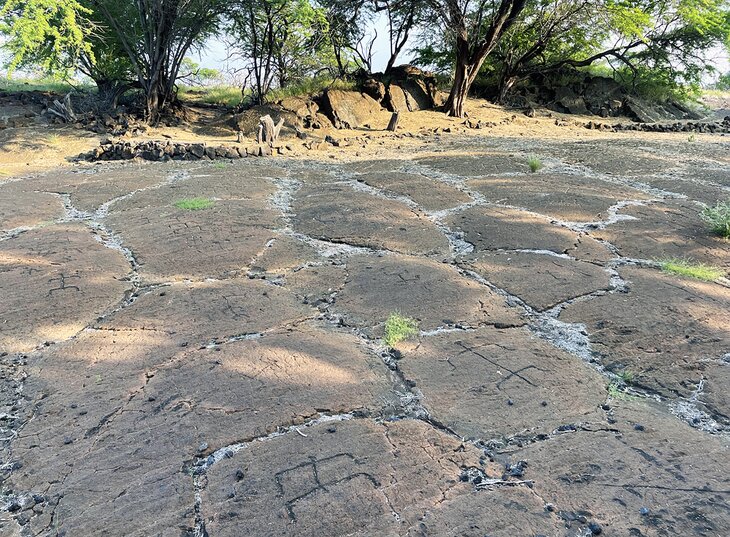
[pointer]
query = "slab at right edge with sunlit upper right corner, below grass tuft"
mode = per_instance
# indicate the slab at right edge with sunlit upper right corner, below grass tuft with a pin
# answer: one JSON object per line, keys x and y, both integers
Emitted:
{"x": 666, "y": 331}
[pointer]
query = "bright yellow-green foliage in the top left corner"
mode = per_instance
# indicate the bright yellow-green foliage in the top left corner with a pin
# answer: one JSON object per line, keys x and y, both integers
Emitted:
{"x": 49, "y": 33}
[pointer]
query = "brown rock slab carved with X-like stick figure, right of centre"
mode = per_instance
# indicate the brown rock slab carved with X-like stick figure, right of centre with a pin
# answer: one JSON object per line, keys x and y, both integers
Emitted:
{"x": 491, "y": 384}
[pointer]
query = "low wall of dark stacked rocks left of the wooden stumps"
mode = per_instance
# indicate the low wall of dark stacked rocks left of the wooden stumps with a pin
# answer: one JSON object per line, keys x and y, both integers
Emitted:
{"x": 168, "y": 150}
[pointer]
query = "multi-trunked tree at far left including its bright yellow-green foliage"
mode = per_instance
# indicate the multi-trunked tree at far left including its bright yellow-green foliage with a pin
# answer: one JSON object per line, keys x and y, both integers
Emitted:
{"x": 147, "y": 38}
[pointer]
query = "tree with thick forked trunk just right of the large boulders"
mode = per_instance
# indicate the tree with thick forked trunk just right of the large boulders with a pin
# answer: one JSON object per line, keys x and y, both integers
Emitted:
{"x": 476, "y": 26}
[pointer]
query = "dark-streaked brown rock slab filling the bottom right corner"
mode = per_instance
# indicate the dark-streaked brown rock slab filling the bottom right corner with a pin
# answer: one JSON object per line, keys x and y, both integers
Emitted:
{"x": 640, "y": 476}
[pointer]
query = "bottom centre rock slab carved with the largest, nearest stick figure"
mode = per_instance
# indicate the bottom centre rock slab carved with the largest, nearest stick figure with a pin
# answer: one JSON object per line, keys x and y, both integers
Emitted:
{"x": 356, "y": 478}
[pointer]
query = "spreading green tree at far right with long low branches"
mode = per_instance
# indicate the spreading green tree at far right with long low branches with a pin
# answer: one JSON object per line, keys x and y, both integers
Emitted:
{"x": 665, "y": 40}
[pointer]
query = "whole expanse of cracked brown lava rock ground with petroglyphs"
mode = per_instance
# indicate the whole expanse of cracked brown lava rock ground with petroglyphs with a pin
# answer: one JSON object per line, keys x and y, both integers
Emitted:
{"x": 222, "y": 372}
